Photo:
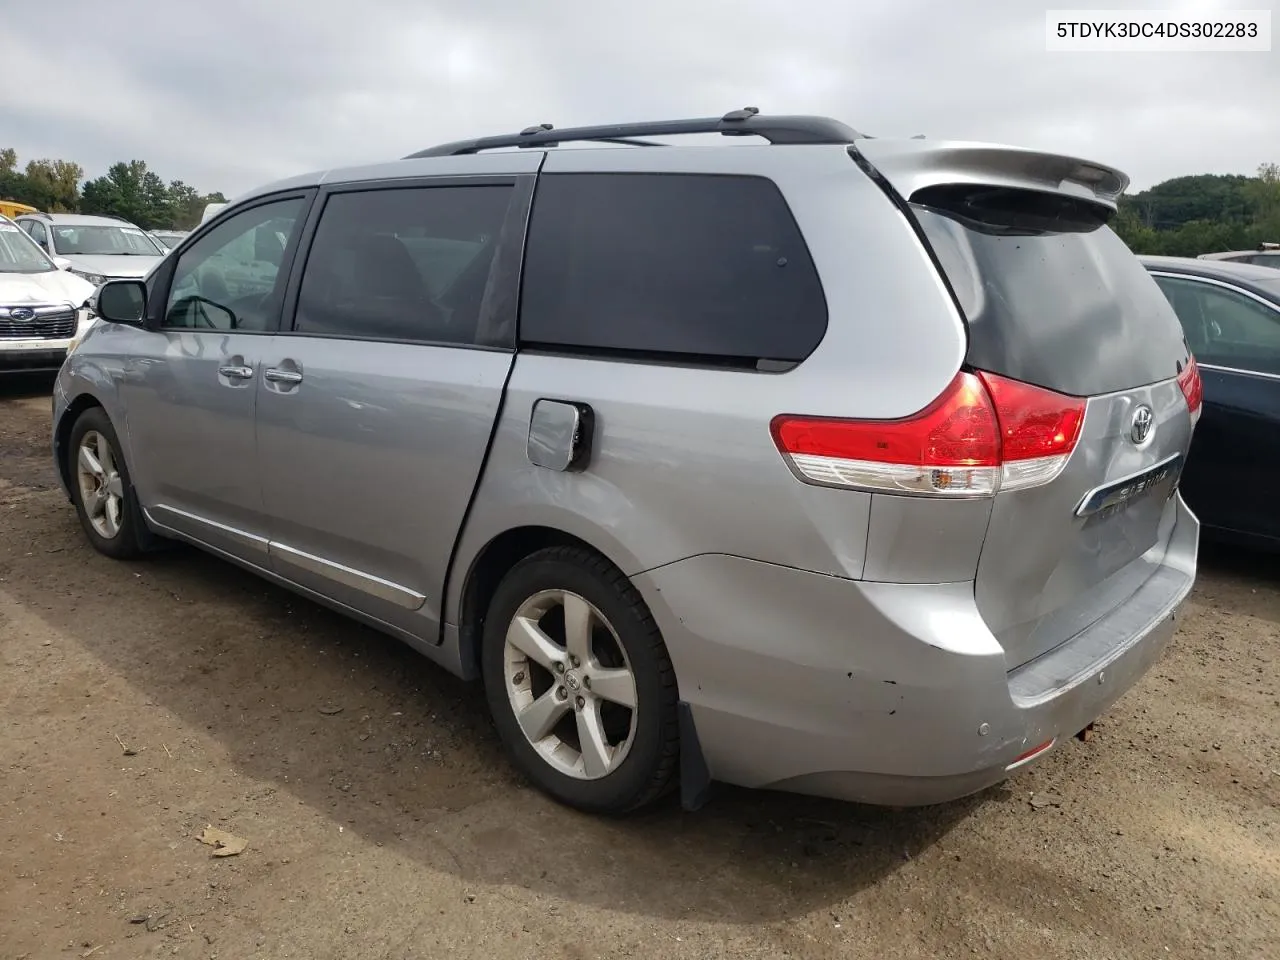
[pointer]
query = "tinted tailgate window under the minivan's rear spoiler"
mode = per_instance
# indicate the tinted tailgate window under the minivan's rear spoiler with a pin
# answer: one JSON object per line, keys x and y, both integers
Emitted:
{"x": 1052, "y": 295}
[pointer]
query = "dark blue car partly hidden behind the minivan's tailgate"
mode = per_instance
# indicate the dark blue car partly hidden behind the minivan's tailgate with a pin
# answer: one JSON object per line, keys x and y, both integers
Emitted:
{"x": 1232, "y": 318}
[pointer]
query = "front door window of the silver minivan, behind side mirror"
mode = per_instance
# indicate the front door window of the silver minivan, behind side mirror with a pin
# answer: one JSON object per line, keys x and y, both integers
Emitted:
{"x": 230, "y": 280}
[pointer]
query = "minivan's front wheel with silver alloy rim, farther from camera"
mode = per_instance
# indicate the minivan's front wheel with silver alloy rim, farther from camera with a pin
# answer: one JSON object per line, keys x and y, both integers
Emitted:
{"x": 102, "y": 488}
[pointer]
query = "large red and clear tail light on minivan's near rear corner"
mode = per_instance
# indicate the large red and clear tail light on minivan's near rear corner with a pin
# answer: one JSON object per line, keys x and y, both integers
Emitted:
{"x": 985, "y": 433}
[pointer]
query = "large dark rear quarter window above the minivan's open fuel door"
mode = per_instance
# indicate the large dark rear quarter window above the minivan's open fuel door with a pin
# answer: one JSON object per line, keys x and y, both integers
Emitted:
{"x": 710, "y": 269}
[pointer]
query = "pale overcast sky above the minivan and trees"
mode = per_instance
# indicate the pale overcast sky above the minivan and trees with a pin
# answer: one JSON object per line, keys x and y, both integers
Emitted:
{"x": 231, "y": 94}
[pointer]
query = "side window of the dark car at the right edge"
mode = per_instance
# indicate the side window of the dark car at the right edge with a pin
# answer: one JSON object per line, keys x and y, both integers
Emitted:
{"x": 1224, "y": 327}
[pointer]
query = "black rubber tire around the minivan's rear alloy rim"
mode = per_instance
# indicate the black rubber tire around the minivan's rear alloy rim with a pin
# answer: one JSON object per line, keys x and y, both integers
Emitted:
{"x": 651, "y": 765}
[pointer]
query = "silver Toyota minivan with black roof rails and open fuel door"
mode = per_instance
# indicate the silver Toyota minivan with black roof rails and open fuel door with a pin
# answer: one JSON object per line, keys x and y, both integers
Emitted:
{"x": 830, "y": 464}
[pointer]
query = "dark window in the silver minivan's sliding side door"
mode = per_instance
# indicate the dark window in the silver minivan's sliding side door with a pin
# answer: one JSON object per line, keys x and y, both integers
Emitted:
{"x": 408, "y": 264}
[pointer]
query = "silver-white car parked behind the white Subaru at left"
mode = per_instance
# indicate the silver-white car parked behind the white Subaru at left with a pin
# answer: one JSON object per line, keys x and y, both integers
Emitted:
{"x": 99, "y": 248}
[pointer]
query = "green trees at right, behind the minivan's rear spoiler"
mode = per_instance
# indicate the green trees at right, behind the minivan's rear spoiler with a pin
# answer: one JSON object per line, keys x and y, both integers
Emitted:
{"x": 1205, "y": 214}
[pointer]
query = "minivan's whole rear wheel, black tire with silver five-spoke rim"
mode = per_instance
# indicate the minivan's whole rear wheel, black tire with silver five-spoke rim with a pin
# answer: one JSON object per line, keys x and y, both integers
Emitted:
{"x": 580, "y": 684}
